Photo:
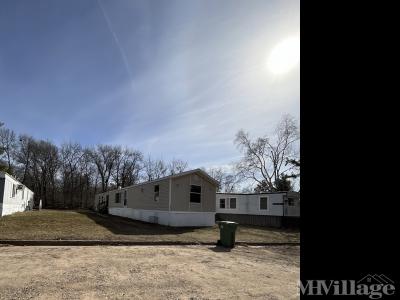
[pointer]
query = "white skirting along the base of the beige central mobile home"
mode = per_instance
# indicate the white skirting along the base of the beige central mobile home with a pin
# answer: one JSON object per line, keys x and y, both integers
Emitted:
{"x": 169, "y": 218}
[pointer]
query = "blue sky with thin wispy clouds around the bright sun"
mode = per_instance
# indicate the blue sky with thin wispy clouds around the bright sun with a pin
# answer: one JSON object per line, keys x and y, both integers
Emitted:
{"x": 170, "y": 78}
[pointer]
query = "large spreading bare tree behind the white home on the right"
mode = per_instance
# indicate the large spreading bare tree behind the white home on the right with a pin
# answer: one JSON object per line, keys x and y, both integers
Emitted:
{"x": 264, "y": 160}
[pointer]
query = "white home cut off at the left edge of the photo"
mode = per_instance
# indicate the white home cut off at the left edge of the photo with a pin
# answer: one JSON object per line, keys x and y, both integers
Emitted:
{"x": 14, "y": 196}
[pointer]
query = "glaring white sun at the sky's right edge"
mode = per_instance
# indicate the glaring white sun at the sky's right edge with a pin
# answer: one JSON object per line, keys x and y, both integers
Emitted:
{"x": 284, "y": 56}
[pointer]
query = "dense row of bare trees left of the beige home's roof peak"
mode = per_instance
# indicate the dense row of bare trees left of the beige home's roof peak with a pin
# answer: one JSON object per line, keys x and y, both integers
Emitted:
{"x": 70, "y": 175}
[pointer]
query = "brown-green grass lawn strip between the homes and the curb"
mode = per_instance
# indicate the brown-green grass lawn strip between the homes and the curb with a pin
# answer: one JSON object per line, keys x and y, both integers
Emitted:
{"x": 87, "y": 225}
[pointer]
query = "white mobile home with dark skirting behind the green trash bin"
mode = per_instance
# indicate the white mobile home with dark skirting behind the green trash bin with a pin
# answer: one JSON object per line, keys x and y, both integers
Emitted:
{"x": 265, "y": 209}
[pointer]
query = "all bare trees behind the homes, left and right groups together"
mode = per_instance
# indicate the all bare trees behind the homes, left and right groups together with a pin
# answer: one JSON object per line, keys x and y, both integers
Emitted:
{"x": 70, "y": 175}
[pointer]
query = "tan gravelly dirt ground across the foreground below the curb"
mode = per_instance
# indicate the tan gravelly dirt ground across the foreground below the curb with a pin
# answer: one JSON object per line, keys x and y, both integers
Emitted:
{"x": 149, "y": 272}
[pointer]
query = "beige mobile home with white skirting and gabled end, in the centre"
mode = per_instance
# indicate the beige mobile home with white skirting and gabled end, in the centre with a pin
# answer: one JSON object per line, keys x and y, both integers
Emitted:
{"x": 184, "y": 199}
